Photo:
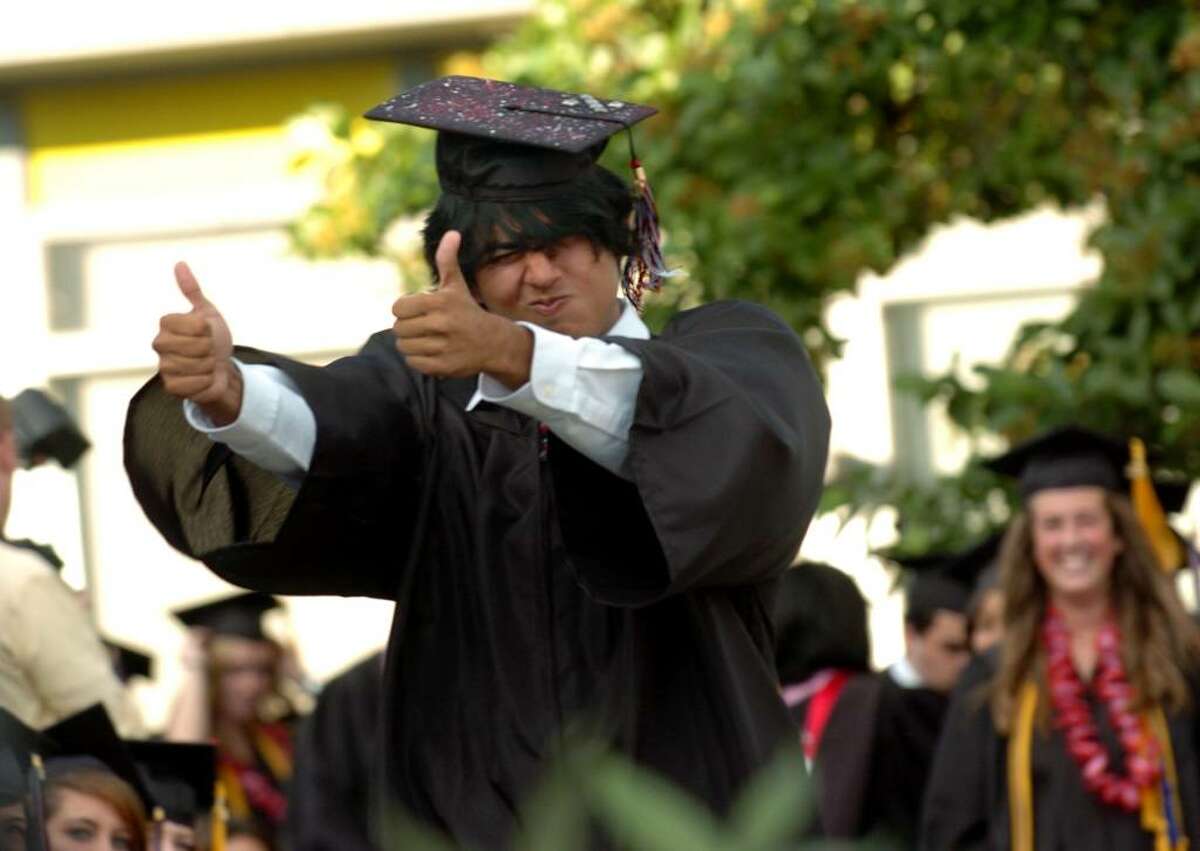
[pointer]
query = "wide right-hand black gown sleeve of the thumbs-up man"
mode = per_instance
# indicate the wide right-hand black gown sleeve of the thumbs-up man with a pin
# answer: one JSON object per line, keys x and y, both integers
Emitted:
{"x": 728, "y": 454}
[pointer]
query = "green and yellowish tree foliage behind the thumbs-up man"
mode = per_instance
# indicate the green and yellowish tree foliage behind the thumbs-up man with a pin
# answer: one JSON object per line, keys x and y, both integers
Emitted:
{"x": 805, "y": 142}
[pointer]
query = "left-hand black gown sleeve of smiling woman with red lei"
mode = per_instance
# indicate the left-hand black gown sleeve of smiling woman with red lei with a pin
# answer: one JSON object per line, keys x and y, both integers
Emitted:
{"x": 958, "y": 801}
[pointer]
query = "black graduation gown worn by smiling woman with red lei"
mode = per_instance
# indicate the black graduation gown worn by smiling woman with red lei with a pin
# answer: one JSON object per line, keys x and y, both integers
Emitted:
{"x": 967, "y": 805}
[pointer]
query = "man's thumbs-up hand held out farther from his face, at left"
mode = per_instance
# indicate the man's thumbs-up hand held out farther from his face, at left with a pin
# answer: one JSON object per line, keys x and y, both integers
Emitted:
{"x": 196, "y": 355}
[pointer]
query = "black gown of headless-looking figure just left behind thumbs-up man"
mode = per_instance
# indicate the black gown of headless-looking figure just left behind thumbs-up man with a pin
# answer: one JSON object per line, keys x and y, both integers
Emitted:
{"x": 337, "y": 751}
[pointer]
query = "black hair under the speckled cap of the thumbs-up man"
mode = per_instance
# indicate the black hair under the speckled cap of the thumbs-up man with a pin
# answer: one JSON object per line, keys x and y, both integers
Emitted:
{"x": 597, "y": 208}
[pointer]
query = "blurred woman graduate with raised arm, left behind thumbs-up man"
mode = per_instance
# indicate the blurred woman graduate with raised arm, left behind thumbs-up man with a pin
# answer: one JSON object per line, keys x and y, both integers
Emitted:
{"x": 232, "y": 697}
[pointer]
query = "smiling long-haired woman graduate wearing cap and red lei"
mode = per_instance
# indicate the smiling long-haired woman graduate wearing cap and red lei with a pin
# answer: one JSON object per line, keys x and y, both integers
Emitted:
{"x": 1081, "y": 733}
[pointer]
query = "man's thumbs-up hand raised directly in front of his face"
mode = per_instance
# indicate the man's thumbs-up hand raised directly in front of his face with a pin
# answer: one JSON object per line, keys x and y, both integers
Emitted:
{"x": 448, "y": 334}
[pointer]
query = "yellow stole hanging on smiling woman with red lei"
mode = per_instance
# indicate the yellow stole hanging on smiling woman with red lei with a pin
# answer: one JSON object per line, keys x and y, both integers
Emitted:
{"x": 1021, "y": 780}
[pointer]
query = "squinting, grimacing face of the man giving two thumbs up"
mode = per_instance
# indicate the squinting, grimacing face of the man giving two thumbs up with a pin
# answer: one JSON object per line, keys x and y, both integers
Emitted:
{"x": 569, "y": 287}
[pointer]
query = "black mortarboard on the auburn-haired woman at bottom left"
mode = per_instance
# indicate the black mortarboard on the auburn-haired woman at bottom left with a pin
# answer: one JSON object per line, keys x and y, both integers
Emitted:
{"x": 89, "y": 740}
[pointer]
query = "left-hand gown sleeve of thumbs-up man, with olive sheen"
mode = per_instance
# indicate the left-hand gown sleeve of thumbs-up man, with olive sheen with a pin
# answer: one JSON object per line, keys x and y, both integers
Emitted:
{"x": 349, "y": 524}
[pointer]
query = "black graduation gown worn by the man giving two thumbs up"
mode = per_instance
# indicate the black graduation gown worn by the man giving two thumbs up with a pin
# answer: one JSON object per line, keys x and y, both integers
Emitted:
{"x": 535, "y": 588}
